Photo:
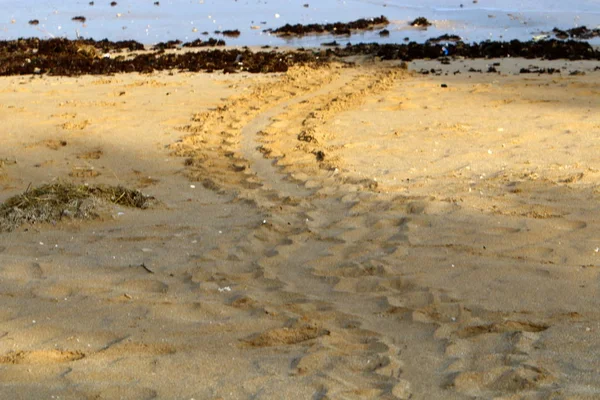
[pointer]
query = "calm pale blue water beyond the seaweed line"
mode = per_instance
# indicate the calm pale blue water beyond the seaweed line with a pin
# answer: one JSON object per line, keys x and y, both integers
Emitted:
{"x": 148, "y": 23}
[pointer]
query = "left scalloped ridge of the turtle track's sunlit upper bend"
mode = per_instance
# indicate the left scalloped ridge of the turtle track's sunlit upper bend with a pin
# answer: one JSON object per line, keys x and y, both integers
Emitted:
{"x": 214, "y": 154}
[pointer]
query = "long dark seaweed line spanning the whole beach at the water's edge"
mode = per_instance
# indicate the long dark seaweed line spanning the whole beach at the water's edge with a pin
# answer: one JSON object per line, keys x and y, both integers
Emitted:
{"x": 66, "y": 58}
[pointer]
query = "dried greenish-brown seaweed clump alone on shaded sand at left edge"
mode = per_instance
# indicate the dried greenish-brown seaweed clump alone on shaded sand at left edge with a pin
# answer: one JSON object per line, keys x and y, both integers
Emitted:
{"x": 51, "y": 203}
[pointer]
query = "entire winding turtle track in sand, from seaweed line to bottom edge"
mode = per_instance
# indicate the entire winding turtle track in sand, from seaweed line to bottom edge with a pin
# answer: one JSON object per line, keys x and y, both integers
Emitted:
{"x": 328, "y": 254}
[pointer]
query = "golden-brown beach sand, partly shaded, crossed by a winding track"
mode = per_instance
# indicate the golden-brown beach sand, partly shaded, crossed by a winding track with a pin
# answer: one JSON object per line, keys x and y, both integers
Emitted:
{"x": 351, "y": 232}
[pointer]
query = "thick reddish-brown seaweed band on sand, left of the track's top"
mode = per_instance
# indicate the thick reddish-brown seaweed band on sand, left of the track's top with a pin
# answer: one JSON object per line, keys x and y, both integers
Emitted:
{"x": 62, "y": 57}
